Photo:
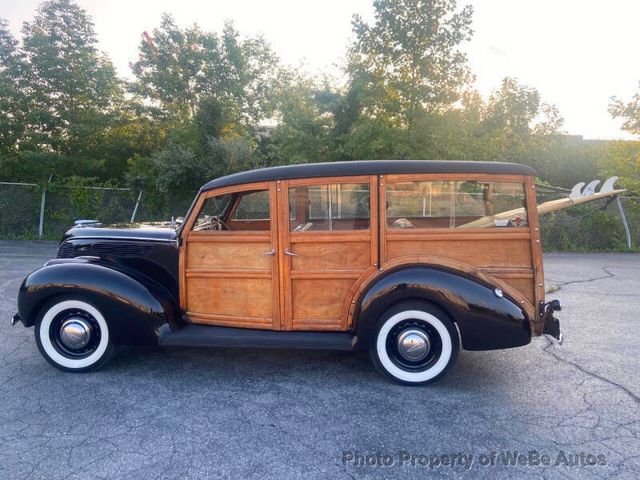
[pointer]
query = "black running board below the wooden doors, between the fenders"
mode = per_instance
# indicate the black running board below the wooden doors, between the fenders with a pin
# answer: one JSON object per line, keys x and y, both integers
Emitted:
{"x": 211, "y": 336}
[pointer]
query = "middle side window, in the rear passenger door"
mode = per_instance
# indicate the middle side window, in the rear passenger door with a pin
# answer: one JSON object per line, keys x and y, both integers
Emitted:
{"x": 341, "y": 206}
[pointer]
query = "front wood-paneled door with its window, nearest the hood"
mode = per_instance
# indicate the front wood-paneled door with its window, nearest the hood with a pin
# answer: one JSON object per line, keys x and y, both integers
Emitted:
{"x": 229, "y": 259}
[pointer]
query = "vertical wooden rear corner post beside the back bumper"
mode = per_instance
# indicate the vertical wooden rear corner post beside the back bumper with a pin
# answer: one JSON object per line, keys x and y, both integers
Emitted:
{"x": 536, "y": 253}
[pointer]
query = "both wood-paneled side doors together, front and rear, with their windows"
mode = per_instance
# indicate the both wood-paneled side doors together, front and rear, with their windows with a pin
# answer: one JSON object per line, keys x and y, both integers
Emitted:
{"x": 279, "y": 255}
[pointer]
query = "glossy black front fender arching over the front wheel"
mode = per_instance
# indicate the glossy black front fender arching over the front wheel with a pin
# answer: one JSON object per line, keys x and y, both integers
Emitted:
{"x": 134, "y": 306}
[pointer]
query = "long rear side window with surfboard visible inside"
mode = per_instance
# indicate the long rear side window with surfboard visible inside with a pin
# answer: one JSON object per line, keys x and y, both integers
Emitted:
{"x": 453, "y": 204}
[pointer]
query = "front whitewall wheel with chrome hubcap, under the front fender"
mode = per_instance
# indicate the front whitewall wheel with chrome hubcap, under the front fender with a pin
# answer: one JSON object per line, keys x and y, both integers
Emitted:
{"x": 73, "y": 335}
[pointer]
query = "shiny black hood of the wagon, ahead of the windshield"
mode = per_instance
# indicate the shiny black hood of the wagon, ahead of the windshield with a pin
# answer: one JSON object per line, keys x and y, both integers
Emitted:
{"x": 158, "y": 231}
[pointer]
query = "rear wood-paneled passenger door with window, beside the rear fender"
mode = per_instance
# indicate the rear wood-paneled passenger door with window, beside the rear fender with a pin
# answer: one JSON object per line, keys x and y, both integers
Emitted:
{"x": 328, "y": 237}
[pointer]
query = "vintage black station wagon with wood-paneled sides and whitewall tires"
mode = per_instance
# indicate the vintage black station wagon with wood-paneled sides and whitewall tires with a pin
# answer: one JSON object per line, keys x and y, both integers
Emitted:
{"x": 410, "y": 260}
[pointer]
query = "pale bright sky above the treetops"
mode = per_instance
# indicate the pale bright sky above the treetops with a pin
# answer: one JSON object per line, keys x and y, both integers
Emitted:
{"x": 577, "y": 53}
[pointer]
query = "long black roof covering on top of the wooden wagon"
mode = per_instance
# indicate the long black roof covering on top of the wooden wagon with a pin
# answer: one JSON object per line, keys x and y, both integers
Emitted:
{"x": 367, "y": 167}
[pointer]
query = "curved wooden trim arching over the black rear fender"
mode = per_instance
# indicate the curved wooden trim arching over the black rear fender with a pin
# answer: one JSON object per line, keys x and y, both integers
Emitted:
{"x": 365, "y": 281}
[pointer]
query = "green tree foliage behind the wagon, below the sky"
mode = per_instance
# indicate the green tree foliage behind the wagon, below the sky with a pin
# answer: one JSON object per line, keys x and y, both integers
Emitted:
{"x": 203, "y": 104}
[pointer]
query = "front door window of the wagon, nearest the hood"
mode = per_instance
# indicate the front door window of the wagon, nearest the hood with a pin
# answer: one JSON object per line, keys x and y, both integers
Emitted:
{"x": 244, "y": 211}
